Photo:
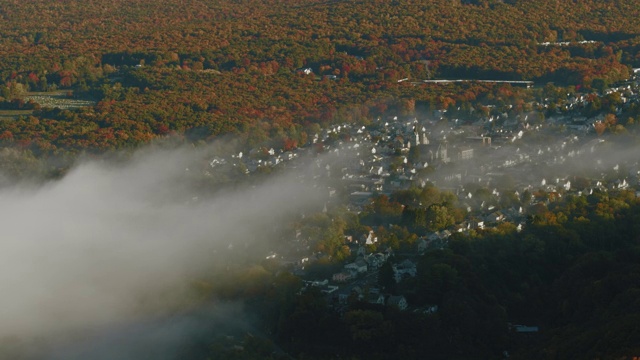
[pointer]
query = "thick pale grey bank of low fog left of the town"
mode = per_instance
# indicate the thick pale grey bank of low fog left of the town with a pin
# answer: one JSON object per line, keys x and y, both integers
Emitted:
{"x": 81, "y": 252}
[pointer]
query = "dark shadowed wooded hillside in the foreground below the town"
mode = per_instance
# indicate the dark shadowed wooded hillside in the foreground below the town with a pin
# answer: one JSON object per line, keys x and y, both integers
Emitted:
{"x": 572, "y": 272}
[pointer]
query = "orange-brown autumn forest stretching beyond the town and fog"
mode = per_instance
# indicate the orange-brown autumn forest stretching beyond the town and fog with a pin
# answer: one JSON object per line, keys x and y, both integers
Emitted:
{"x": 200, "y": 69}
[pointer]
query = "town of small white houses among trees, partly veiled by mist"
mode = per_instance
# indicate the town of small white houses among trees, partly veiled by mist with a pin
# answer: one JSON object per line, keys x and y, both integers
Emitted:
{"x": 497, "y": 167}
